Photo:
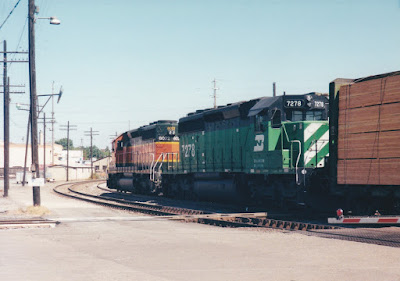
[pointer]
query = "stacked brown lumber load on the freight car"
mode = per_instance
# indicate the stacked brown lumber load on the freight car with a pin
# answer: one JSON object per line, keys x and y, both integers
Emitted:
{"x": 369, "y": 131}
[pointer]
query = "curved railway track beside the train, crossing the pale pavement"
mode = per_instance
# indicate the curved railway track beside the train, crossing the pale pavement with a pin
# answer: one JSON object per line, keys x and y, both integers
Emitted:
{"x": 380, "y": 236}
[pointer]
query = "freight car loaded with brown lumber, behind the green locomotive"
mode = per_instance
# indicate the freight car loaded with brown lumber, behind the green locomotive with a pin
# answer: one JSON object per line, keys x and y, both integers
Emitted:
{"x": 364, "y": 141}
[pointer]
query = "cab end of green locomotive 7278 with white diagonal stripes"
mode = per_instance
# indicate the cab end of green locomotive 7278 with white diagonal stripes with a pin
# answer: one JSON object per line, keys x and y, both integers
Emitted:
{"x": 290, "y": 138}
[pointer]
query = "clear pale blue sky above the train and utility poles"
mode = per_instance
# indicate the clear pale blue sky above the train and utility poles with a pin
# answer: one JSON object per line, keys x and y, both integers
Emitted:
{"x": 128, "y": 62}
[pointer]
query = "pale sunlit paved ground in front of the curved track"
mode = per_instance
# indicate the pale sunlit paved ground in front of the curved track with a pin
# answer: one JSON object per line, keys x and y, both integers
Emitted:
{"x": 95, "y": 243}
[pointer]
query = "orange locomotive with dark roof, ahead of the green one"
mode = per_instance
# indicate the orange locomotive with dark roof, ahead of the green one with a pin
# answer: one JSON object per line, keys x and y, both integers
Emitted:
{"x": 139, "y": 154}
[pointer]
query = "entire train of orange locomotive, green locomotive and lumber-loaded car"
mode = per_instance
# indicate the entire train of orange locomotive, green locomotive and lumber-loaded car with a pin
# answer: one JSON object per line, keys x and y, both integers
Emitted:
{"x": 276, "y": 148}
